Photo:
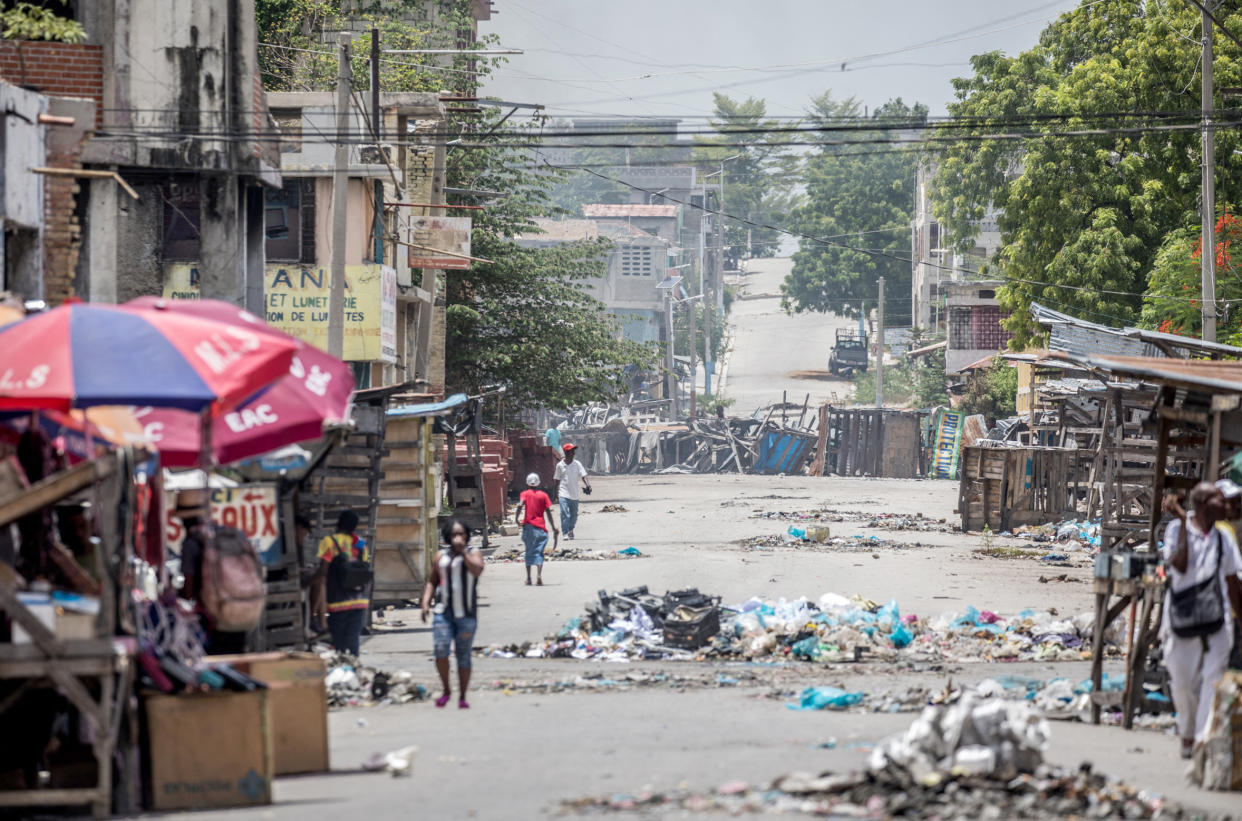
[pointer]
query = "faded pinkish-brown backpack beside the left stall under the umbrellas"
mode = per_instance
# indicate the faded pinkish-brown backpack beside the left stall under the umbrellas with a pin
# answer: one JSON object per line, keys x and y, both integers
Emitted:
{"x": 233, "y": 581}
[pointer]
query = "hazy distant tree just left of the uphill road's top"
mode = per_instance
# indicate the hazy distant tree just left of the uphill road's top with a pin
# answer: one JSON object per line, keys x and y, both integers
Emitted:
{"x": 750, "y": 160}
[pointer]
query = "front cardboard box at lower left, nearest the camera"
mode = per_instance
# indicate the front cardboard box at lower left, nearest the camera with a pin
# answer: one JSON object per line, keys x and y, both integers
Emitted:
{"x": 208, "y": 751}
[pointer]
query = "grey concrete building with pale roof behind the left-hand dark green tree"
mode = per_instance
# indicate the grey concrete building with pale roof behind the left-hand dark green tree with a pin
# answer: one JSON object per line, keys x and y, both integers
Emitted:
{"x": 637, "y": 264}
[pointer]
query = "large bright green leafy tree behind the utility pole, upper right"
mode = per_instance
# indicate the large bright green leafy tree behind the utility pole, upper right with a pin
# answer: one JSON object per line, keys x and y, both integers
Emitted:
{"x": 1084, "y": 218}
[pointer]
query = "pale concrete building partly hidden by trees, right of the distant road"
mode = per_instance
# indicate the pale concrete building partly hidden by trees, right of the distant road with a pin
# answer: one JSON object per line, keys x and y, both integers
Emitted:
{"x": 935, "y": 265}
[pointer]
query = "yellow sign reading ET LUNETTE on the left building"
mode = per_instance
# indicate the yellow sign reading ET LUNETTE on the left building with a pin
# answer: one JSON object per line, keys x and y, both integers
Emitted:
{"x": 296, "y": 299}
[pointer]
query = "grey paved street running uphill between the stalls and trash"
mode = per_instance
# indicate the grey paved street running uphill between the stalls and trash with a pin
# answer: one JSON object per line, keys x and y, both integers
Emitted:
{"x": 520, "y": 756}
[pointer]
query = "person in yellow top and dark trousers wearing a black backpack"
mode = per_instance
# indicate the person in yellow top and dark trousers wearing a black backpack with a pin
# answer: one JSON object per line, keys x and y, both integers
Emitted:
{"x": 345, "y": 569}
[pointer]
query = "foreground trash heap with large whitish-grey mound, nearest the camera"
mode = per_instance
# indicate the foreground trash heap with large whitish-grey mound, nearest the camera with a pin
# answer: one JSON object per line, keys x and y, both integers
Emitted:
{"x": 978, "y": 758}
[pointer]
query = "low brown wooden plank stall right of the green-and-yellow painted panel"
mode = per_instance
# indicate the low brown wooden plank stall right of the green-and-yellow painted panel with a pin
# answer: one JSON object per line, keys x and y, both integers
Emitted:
{"x": 1008, "y": 488}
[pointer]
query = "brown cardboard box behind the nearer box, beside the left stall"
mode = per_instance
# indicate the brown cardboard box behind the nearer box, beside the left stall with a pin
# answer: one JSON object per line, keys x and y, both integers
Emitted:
{"x": 299, "y": 706}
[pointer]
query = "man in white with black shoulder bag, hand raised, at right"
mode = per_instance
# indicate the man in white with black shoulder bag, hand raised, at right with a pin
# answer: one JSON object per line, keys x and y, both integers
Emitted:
{"x": 1199, "y": 553}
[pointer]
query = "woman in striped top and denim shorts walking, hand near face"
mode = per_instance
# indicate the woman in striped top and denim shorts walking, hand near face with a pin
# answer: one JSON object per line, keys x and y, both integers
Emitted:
{"x": 455, "y": 586}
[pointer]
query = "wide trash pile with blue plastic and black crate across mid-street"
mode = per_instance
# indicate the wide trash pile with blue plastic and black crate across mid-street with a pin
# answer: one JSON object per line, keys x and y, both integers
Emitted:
{"x": 634, "y": 624}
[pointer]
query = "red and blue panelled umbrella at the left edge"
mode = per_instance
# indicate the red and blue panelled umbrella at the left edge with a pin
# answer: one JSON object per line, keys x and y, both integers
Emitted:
{"x": 81, "y": 356}
